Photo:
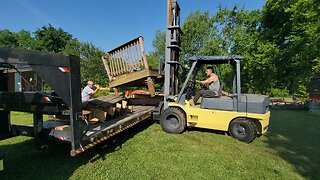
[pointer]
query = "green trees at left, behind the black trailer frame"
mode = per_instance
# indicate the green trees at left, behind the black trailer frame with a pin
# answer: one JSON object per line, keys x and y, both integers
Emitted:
{"x": 51, "y": 39}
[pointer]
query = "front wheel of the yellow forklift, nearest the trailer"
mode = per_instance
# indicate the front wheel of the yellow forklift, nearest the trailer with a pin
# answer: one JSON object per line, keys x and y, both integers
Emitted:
{"x": 173, "y": 120}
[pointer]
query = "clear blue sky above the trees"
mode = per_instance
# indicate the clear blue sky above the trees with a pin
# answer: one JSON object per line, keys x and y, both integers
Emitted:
{"x": 105, "y": 23}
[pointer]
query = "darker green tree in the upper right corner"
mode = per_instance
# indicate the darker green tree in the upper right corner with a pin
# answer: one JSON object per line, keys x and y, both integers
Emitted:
{"x": 293, "y": 27}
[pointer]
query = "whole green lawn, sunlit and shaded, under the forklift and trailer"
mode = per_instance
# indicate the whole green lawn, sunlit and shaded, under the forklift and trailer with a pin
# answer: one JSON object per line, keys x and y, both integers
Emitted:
{"x": 289, "y": 151}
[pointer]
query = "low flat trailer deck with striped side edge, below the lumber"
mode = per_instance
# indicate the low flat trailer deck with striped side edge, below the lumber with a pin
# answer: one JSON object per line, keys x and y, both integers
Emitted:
{"x": 101, "y": 131}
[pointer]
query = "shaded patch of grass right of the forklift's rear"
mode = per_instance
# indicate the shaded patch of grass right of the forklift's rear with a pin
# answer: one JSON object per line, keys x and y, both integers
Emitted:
{"x": 295, "y": 136}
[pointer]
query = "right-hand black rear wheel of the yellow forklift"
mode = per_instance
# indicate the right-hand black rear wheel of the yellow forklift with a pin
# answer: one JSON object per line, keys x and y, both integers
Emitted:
{"x": 243, "y": 129}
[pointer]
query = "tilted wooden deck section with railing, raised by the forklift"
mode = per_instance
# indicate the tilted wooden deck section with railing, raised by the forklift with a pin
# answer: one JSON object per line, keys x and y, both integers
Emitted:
{"x": 127, "y": 66}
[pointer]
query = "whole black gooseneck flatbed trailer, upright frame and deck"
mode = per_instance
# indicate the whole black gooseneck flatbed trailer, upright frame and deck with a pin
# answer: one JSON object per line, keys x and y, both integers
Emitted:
{"x": 62, "y": 74}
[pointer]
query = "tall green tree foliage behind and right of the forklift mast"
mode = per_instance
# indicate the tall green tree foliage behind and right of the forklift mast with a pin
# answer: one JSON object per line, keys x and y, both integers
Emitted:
{"x": 280, "y": 43}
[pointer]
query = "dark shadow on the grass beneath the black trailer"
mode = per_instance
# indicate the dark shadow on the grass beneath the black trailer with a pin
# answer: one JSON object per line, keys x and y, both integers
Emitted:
{"x": 24, "y": 161}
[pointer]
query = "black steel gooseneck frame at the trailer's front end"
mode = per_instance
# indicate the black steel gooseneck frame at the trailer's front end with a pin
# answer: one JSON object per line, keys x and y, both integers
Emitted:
{"x": 61, "y": 72}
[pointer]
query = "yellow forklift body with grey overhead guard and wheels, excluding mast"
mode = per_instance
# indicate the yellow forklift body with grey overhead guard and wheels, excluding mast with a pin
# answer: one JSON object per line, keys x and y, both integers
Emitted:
{"x": 244, "y": 116}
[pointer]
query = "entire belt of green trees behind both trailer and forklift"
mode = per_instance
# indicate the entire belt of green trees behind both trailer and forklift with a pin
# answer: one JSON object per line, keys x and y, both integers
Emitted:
{"x": 280, "y": 45}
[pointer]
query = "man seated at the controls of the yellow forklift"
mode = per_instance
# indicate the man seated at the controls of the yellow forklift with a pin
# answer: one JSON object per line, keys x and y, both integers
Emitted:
{"x": 213, "y": 83}
